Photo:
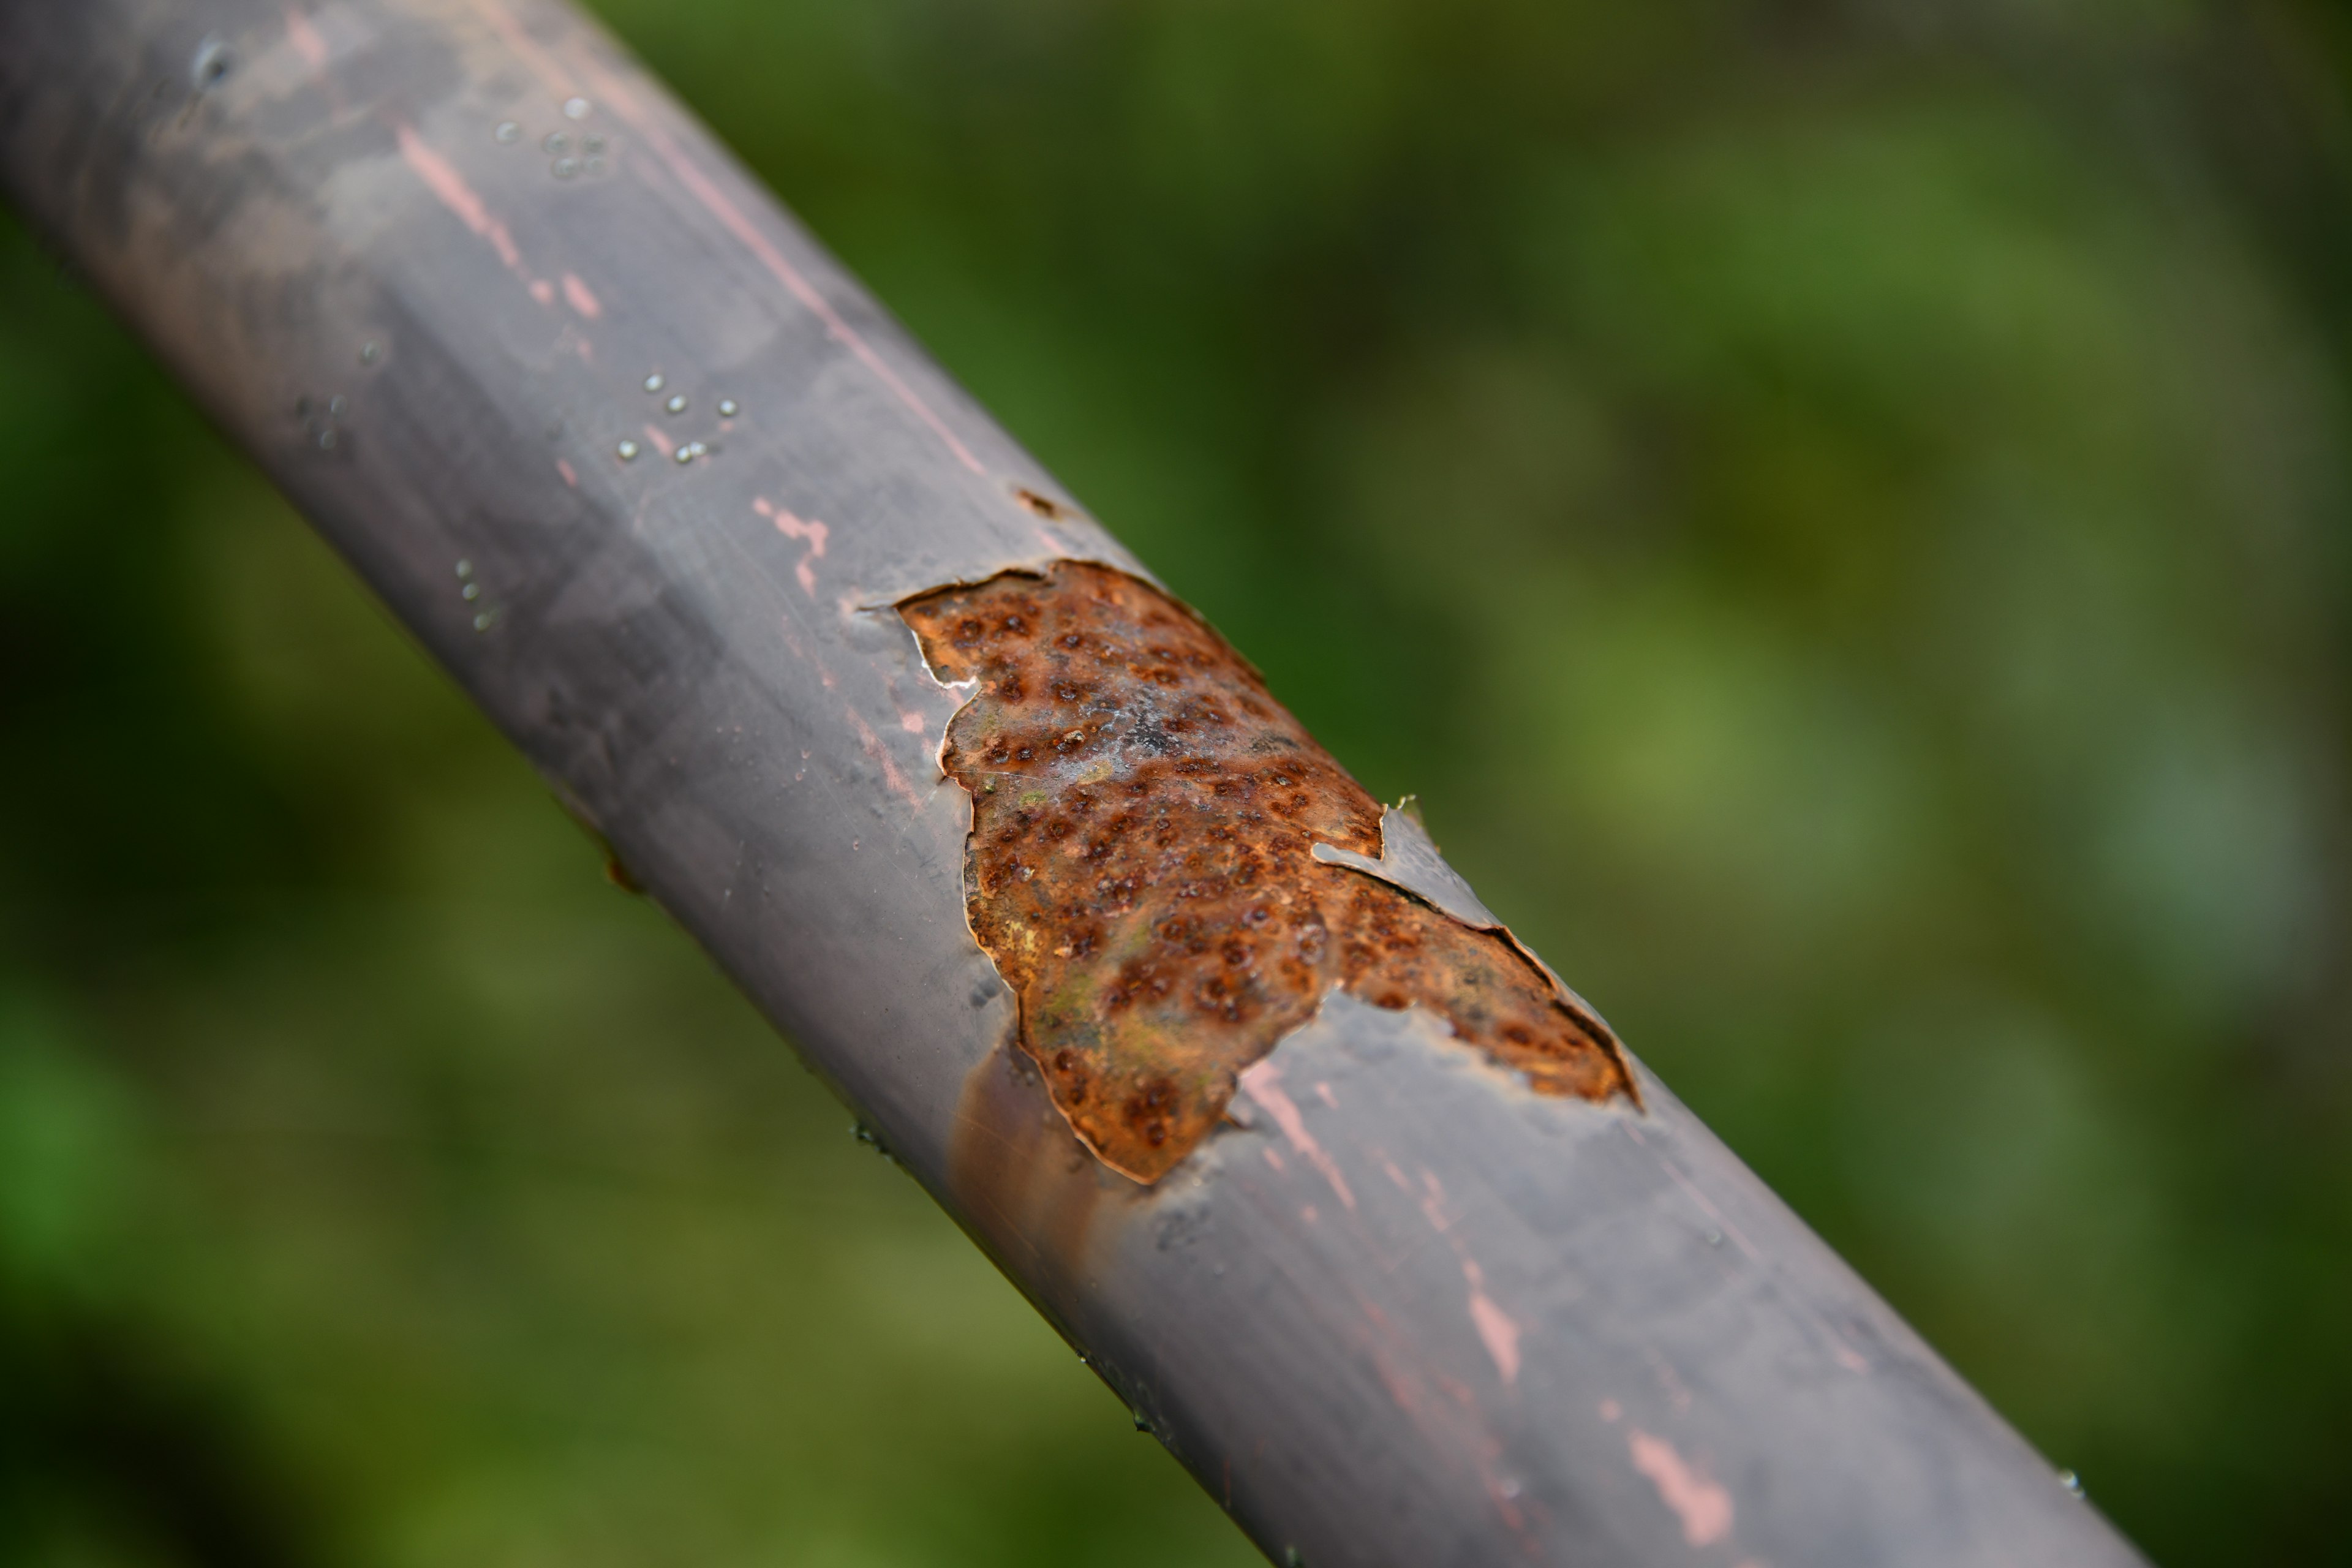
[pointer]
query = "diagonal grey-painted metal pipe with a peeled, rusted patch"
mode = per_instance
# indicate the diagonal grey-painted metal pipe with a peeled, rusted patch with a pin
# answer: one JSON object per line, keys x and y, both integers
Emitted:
{"x": 1377, "y": 1228}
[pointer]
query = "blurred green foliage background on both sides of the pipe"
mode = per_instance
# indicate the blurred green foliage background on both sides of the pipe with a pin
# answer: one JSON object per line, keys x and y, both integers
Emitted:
{"x": 1838, "y": 509}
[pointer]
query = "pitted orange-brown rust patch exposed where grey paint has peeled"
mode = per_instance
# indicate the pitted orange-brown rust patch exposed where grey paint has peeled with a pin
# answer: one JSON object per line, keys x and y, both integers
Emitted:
{"x": 1142, "y": 869}
